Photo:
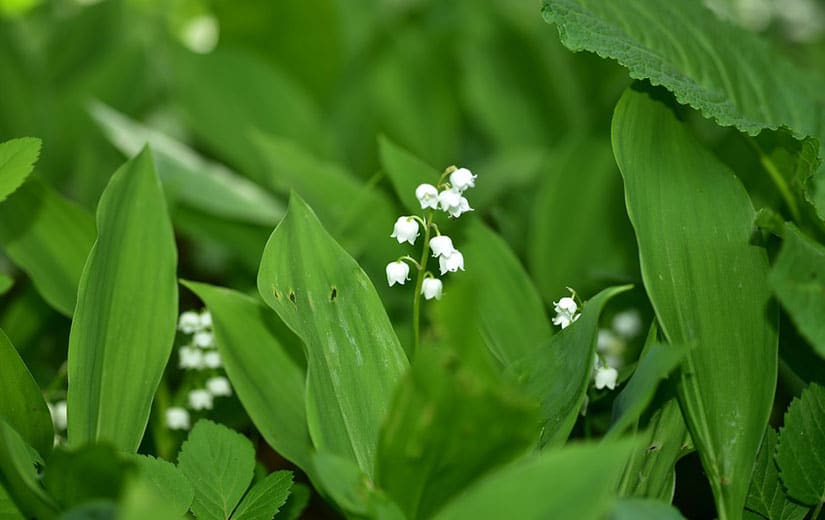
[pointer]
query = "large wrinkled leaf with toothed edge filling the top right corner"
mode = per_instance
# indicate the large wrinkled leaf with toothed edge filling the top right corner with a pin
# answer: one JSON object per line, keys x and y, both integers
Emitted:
{"x": 727, "y": 73}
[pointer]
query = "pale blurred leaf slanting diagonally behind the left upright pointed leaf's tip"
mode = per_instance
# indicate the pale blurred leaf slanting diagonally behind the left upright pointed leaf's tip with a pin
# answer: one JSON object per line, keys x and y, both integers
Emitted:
{"x": 189, "y": 178}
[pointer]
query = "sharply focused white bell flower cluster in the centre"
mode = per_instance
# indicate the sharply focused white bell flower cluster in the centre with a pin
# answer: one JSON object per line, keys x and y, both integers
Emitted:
{"x": 448, "y": 196}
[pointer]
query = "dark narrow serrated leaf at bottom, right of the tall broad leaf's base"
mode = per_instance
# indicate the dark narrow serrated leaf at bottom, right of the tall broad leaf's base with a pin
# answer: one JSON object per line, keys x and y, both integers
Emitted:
{"x": 766, "y": 495}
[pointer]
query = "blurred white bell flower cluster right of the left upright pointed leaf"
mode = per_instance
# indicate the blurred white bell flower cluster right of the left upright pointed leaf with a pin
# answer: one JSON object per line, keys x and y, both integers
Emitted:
{"x": 200, "y": 355}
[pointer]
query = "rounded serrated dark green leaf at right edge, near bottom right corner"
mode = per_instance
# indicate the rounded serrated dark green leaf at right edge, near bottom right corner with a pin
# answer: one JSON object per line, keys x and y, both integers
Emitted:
{"x": 801, "y": 452}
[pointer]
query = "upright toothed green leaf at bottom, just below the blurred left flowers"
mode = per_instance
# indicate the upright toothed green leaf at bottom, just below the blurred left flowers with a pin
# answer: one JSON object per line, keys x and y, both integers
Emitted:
{"x": 219, "y": 463}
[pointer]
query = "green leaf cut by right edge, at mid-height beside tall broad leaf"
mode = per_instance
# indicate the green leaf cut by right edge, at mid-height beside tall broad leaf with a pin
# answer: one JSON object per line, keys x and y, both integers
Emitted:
{"x": 798, "y": 280}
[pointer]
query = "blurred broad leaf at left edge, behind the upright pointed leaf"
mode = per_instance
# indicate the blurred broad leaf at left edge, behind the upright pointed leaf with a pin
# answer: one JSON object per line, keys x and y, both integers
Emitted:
{"x": 48, "y": 237}
